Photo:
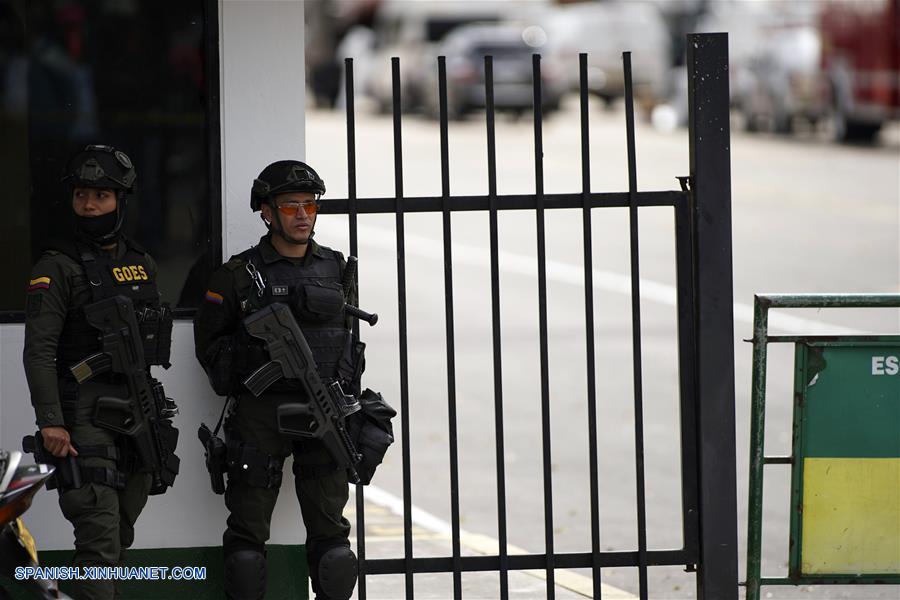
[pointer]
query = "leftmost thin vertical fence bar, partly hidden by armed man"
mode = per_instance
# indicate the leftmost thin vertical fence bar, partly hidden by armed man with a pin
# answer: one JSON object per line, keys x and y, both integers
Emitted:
{"x": 351, "y": 199}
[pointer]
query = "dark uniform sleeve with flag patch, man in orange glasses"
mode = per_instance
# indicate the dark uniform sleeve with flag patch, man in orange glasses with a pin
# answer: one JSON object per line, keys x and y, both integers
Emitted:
{"x": 218, "y": 314}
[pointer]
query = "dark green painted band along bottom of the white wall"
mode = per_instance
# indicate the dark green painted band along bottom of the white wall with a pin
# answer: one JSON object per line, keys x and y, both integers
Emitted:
{"x": 286, "y": 565}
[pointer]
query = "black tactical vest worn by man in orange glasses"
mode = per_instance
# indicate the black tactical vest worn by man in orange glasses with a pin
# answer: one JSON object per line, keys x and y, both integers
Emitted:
{"x": 316, "y": 298}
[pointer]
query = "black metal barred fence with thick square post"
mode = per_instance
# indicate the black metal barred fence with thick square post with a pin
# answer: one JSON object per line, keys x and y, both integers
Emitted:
{"x": 702, "y": 211}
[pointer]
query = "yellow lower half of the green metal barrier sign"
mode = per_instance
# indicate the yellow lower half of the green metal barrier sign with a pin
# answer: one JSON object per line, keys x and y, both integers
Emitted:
{"x": 851, "y": 516}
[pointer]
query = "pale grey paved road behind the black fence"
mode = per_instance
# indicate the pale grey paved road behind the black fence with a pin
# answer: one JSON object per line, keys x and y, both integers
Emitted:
{"x": 808, "y": 217}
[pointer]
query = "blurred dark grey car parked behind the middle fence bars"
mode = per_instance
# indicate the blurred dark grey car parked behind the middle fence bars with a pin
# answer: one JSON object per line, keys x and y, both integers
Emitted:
{"x": 465, "y": 49}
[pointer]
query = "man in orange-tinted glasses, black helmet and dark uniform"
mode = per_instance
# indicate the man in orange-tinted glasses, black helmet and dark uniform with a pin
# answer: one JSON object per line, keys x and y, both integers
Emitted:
{"x": 287, "y": 266}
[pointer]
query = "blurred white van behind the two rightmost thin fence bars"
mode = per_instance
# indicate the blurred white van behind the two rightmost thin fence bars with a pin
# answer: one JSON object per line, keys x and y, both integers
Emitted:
{"x": 604, "y": 30}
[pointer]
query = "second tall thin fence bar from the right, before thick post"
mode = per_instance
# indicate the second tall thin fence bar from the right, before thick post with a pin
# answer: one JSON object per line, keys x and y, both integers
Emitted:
{"x": 587, "y": 237}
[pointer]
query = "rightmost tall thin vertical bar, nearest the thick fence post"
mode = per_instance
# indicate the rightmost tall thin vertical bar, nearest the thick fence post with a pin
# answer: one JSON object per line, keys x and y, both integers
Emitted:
{"x": 636, "y": 331}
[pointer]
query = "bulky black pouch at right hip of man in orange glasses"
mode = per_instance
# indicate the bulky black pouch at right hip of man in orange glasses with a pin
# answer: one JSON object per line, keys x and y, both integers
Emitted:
{"x": 371, "y": 431}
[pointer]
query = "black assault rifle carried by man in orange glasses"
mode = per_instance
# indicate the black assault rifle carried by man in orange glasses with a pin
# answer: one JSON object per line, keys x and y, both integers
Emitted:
{"x": 323, "y": 417}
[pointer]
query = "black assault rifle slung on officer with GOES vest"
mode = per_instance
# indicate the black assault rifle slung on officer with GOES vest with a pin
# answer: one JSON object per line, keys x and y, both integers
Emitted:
{"x": 145, "y": 415}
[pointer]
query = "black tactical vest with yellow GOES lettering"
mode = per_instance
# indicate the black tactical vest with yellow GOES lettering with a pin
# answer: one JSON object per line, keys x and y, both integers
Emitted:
{"x": 107, "y": 276}
